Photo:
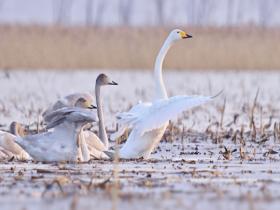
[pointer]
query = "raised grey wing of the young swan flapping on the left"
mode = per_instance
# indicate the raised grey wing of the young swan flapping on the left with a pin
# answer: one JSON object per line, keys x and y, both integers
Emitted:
{"x": 69, "y": 114}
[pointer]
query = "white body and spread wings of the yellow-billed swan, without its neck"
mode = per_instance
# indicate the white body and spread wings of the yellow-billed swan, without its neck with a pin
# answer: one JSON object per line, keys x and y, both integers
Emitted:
{"x": 150, "y": 122}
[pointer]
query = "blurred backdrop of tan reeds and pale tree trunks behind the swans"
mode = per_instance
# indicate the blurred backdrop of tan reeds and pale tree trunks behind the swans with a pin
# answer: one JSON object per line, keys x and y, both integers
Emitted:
{"x": 127, "y": 34}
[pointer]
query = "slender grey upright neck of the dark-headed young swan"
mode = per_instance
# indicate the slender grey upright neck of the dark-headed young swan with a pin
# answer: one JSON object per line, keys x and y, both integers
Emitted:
{"x": 102, "y": 131}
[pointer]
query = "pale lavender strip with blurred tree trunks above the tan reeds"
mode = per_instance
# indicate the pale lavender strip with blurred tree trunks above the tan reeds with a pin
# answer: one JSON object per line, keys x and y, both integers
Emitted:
{"x": 141, "y": 12}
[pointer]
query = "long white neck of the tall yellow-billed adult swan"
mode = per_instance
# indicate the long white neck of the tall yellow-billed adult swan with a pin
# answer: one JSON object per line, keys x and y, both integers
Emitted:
{"x": 160, "y": 87}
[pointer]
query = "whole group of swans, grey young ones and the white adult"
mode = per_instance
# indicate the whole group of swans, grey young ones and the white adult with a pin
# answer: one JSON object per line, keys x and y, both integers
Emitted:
{"x": 66, "y": 137}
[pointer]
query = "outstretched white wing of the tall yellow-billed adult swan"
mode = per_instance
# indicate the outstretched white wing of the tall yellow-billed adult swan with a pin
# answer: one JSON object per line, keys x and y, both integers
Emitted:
{"x": 167, "y": 109}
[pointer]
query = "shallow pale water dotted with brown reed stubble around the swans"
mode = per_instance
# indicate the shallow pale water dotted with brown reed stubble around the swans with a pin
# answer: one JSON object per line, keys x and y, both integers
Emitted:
{"x": 189, "y": 169}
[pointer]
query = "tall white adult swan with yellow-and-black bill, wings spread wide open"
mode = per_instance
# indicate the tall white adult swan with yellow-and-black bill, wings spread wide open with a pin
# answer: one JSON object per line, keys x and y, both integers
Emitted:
{"x": 148, "y": 121}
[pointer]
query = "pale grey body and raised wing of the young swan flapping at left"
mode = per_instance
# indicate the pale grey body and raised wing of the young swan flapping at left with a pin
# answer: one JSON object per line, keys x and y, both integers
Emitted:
{"x": 60, "y": 144}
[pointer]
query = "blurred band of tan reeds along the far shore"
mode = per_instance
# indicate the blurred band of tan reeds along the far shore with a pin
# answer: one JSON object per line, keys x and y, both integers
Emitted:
{"x": 34, "y": 47}
